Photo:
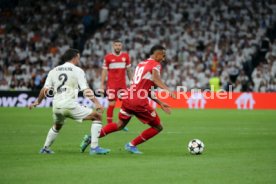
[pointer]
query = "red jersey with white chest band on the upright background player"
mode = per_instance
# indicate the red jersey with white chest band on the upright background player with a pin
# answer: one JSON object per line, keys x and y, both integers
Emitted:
{"x": 116, "y": 67}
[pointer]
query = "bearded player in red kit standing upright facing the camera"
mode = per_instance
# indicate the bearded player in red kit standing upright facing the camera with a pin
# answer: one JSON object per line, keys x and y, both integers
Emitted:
{"x": 115, "y": 67}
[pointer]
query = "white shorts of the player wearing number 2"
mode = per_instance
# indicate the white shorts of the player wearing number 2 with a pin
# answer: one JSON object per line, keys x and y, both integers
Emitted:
{"x": 78, "y": 113}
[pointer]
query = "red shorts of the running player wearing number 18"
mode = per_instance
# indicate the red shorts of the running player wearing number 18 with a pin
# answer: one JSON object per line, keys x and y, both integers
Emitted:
{"x": 143, "y": 112}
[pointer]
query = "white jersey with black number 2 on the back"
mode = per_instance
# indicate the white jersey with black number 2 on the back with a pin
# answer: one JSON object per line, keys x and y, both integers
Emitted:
{"x": 66, "y": 80}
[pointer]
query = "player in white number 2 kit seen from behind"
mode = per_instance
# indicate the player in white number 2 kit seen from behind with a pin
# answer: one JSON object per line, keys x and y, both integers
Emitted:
{"x": 66, "y": 80}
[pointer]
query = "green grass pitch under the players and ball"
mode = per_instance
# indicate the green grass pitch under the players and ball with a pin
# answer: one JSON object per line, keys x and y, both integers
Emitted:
{"x": 240, "y": 148}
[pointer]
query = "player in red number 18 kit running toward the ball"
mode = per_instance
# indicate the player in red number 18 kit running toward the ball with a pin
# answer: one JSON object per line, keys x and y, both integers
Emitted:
{"x": 146, "y": 76}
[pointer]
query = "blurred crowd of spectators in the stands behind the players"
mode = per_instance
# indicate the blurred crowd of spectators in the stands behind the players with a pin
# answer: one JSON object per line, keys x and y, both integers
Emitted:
{"x": 234, "y": 41}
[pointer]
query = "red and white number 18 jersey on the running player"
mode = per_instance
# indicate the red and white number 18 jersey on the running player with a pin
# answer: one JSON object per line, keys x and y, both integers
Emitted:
{"x": 142, "y": 79}
